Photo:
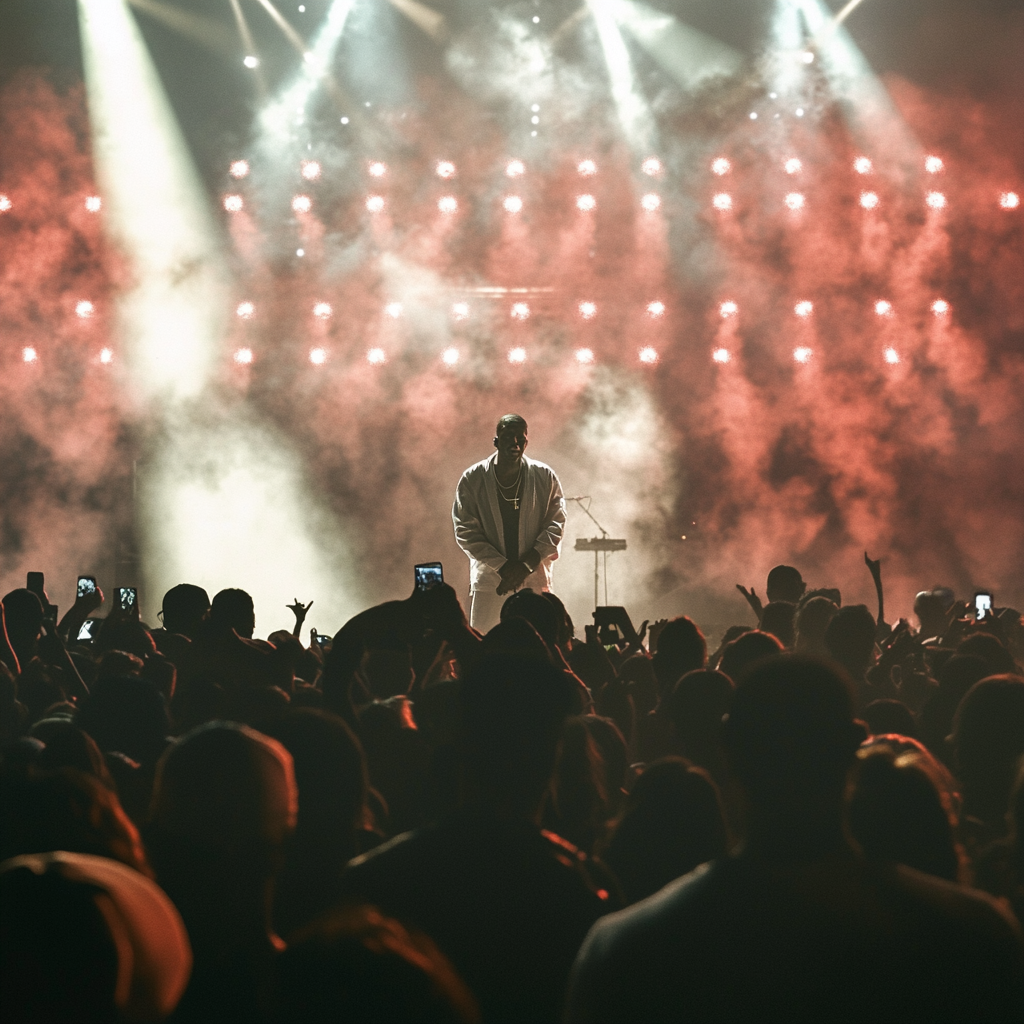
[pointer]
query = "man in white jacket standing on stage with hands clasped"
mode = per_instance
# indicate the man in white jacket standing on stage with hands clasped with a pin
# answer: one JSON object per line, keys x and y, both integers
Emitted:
{"x": 509, "y": 519}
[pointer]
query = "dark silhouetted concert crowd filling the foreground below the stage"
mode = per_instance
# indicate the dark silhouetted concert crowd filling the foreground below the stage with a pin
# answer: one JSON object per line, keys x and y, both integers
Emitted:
{"x": 821, "y": 820}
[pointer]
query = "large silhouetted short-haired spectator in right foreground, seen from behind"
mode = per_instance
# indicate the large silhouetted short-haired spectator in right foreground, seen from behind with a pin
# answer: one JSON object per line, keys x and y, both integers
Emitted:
{"x": 796, "y": 927}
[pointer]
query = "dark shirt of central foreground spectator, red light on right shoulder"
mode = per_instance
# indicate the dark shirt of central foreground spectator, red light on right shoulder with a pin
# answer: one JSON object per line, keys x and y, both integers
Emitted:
{"x": 507, "y": 904}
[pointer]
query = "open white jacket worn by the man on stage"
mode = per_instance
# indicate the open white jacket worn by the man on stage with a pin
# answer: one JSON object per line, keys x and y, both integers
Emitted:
{"x": 479, "y": 530}
